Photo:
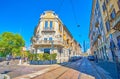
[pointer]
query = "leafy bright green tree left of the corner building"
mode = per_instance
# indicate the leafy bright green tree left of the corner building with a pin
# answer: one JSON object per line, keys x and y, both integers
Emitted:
{"x": 11, "y": 43}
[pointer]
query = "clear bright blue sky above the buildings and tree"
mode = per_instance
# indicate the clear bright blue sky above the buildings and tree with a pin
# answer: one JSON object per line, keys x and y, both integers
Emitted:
{"x": 21, "y": 16}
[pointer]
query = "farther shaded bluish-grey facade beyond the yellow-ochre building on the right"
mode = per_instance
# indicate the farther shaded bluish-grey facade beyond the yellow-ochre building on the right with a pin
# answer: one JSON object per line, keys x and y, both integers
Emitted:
{"x": 97, "y": 33}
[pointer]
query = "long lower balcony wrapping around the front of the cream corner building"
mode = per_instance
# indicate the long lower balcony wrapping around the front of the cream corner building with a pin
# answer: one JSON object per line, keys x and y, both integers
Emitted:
{"x": 48, "y": 43}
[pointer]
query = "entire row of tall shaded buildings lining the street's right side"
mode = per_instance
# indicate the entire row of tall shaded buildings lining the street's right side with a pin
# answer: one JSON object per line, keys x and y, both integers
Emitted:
{"x": 105, "y": 19}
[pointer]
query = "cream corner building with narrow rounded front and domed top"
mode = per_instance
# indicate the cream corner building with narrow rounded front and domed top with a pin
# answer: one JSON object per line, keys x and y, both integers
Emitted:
{"x": 52, "y": 36}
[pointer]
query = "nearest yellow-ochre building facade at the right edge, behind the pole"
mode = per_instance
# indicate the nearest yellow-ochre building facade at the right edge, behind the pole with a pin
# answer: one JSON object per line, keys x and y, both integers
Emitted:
{"x": 111, "y": 15}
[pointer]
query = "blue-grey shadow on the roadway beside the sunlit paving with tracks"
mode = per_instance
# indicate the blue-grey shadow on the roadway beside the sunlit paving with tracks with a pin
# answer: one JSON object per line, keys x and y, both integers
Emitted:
{"x": 89, "y": 68}
